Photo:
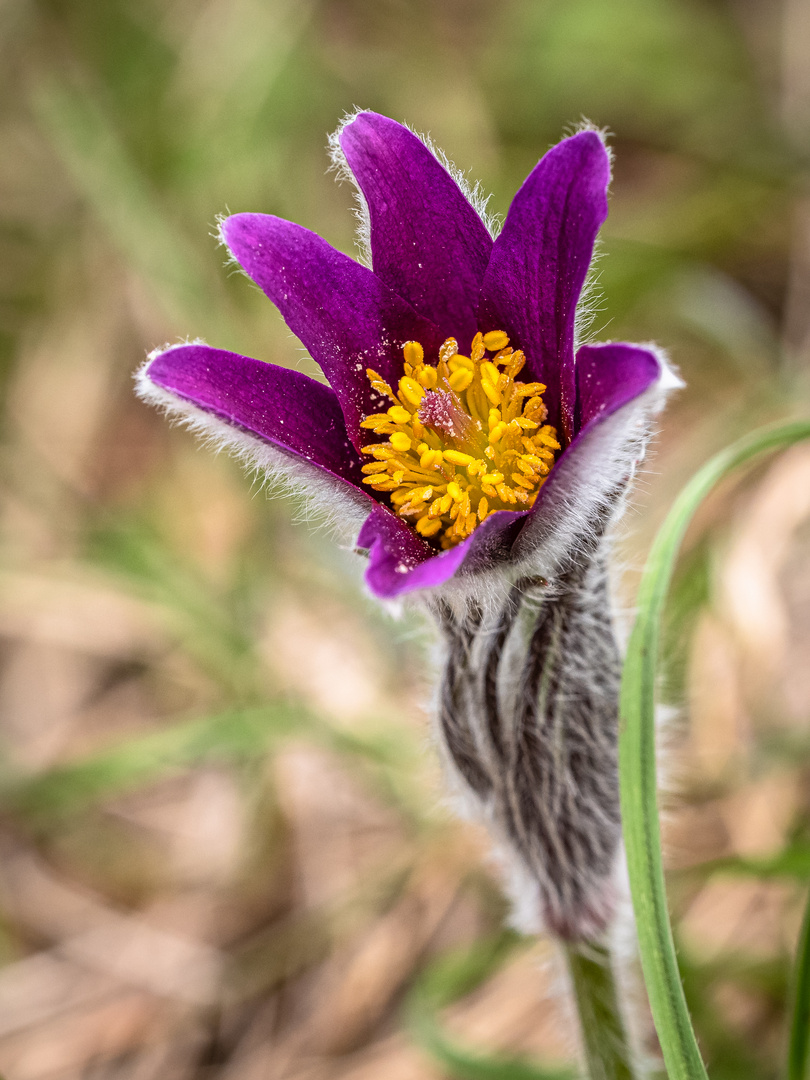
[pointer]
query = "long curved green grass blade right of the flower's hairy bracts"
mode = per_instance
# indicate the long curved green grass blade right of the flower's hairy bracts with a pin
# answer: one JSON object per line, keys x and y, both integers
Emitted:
{"x": 638, "y": 757}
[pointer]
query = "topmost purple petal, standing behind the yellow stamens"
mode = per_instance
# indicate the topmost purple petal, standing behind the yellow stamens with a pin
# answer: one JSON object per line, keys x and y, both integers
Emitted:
{"x": 428, "y": 244}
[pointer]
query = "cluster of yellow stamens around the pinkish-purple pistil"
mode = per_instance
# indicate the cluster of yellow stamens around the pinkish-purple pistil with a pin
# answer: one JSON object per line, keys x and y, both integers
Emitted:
{"x": 465, "y": 438}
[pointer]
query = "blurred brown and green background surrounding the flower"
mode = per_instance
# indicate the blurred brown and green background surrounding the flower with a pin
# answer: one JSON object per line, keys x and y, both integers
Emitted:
{"x": 225, "y": 850}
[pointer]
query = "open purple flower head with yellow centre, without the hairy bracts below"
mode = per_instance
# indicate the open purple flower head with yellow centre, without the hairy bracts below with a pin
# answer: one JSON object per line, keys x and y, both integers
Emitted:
{"x": 463, "y": 430}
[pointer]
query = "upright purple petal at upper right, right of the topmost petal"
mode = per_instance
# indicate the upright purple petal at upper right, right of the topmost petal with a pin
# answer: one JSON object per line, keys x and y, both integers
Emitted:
{"x": 541, "y": 261}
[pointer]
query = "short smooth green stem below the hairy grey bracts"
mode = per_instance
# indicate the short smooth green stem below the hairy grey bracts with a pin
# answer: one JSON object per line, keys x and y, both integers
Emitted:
{"x": 604, "y": 1037}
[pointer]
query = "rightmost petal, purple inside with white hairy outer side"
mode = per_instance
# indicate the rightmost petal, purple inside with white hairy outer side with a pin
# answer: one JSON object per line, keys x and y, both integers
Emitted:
{"x": 614, "y": 410}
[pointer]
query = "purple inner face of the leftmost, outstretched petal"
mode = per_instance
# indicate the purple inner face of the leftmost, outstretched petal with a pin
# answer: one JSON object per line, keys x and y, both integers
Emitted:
{"x": 286, "y": 409}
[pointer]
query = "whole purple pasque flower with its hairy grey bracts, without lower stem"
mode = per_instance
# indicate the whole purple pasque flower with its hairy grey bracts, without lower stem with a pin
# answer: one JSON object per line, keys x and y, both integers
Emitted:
{"x": 477, "y": 452}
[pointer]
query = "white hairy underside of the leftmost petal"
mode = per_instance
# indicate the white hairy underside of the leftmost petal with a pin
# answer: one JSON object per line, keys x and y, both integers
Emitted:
{"x": 327, "y": 504}
